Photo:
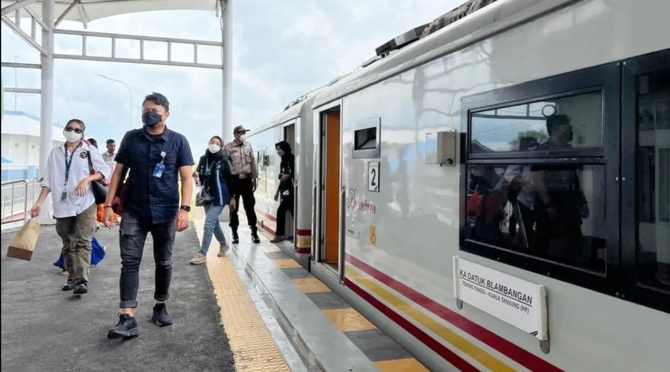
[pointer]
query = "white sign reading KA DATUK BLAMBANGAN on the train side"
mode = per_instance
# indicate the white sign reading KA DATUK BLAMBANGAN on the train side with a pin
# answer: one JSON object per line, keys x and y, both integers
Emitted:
{"x": 510, "y": 299}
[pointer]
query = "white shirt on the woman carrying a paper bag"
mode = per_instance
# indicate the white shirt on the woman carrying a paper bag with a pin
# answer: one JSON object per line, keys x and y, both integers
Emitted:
{"x": 54, "y": 179}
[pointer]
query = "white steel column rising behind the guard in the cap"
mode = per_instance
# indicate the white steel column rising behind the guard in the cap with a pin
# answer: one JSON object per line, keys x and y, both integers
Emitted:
{"x": 227, "y": 62}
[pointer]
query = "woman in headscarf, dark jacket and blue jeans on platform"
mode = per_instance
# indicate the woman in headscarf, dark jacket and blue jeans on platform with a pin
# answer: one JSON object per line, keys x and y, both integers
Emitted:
{"x": 214, "y": 170}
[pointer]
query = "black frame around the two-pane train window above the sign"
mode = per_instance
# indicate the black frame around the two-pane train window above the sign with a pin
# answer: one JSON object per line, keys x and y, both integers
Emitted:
{"x": 605, "y": 78}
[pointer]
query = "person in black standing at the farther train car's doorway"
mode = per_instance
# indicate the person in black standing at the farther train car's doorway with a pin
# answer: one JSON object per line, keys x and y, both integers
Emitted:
{"x": 285, "y": 189}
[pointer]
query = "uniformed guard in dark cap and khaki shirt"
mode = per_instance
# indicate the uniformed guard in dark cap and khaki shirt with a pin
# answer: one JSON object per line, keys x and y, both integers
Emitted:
{"x": 245, "y": 174}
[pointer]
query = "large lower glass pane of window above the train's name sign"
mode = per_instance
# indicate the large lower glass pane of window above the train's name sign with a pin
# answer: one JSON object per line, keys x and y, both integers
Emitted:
{"x": 552, "y": 211}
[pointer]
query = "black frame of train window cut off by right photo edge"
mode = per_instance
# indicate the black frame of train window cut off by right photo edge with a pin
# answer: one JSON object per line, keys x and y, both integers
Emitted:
{"x": 633, "y": 289}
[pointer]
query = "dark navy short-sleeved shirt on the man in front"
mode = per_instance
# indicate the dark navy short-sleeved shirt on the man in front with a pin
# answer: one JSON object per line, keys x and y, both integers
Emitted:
{"x": 151, "y": 198}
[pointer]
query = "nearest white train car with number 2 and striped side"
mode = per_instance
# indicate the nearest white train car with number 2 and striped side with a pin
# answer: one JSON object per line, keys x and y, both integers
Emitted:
{"x": 496, "y": 195}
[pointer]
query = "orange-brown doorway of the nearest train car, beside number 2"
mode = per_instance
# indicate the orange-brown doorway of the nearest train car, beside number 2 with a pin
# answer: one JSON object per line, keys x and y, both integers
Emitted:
{"x": 330, "y": 252}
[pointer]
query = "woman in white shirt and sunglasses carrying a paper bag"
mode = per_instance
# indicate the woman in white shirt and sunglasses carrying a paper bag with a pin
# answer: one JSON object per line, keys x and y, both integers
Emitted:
{"x": 68, "y": 176}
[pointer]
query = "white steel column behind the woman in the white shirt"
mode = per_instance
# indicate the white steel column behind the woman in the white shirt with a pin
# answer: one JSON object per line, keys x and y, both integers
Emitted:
{"x": 47, "y": 96}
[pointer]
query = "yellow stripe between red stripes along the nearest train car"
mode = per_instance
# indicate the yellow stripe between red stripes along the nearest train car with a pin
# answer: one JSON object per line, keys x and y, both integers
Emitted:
{"x": 443, "y": 332}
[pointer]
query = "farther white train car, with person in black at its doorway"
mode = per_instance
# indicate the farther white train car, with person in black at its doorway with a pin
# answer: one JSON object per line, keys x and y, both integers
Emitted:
{"x": 293, "y": 125}
